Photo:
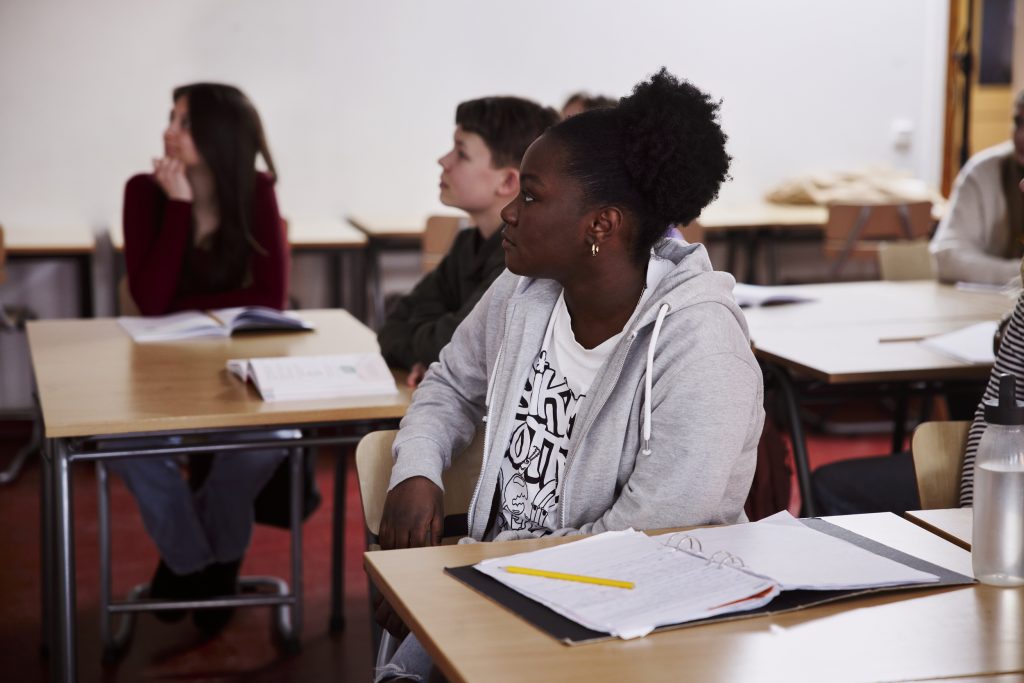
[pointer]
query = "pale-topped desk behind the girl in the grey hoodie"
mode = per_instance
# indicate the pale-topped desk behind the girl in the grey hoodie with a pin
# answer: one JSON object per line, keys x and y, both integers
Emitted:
{"x": 837, "y": 339}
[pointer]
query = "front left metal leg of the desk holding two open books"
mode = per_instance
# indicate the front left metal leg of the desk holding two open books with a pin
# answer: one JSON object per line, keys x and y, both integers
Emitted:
{"x": 65, "y": 669}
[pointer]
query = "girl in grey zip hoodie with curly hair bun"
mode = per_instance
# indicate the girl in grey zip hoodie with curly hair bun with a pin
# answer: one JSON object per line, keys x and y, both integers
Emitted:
{"x": 611, "y": 367}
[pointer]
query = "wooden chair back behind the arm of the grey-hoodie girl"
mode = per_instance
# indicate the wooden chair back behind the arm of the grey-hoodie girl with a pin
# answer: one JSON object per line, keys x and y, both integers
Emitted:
{"x": 373, "y": 467}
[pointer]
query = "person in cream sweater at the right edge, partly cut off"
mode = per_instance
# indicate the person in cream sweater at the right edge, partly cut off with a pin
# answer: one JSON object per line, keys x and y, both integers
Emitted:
{"x": 982, "y": 237}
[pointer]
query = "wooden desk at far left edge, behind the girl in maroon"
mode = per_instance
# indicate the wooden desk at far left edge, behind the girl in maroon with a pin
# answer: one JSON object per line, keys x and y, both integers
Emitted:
{"x": 74, "y": 243}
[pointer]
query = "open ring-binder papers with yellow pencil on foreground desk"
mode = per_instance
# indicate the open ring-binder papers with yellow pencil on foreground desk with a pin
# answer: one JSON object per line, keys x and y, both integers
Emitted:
{"x": 688, "y": 577}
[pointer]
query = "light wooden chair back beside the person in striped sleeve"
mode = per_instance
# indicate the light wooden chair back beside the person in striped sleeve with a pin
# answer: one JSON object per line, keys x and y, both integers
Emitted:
{"x": 938, "y": 450}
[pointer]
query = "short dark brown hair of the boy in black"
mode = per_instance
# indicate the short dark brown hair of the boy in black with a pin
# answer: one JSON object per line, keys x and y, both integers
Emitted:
{"x": 508, "y": 125}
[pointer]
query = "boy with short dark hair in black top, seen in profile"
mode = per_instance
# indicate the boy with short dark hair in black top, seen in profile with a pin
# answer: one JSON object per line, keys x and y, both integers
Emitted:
{"x": 480, "y": 176}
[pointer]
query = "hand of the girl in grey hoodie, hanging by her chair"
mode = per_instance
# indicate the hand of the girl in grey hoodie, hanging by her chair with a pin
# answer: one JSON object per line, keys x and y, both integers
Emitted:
{"x": 414, "y": 516}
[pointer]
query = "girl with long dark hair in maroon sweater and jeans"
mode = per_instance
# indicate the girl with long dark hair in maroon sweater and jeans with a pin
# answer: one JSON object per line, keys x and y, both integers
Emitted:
{"x": 201, "y": 232}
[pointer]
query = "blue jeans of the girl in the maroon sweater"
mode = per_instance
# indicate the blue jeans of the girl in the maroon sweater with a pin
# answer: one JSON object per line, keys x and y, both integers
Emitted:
{"x": 215, "y": 525}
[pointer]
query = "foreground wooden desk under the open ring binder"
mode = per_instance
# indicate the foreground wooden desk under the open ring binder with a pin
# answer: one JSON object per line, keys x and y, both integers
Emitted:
{"x": 914, "y": 635}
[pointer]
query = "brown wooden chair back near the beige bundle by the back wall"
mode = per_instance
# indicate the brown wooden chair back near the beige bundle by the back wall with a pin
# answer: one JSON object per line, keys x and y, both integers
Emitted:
{"x": 855, "y": 231}
